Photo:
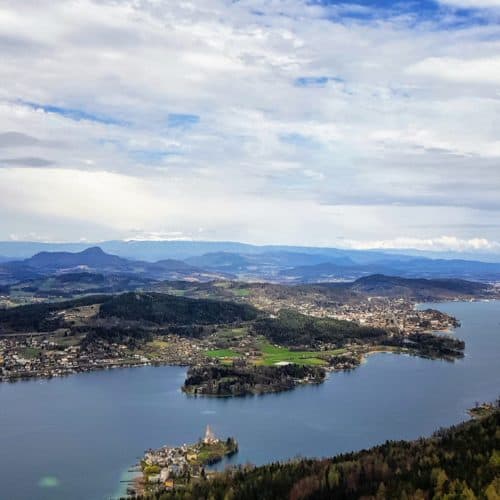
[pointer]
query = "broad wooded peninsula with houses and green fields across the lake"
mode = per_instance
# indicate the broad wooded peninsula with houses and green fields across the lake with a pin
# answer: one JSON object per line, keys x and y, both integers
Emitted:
{"x": 200, "y": 325}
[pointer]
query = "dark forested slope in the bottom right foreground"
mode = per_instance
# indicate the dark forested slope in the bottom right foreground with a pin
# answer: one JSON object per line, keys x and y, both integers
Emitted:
{"x": 462, "y": 462}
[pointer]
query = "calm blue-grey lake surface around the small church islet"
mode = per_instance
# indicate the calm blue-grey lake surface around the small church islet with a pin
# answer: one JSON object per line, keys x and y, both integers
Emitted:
{"x": 76, "y": 437}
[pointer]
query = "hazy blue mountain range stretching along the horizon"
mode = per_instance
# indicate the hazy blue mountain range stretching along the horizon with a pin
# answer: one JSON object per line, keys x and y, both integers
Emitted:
{"x": 203, "y": 261}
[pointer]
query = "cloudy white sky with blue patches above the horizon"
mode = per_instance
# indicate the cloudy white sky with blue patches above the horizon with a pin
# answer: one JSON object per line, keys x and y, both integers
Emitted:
{"x": 363, "y": 124}
